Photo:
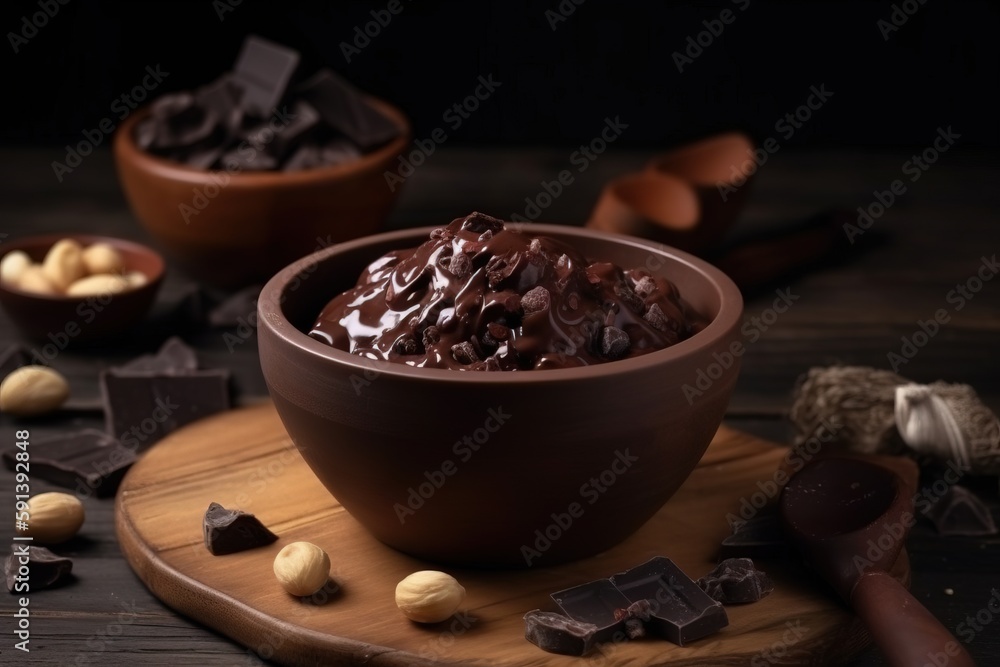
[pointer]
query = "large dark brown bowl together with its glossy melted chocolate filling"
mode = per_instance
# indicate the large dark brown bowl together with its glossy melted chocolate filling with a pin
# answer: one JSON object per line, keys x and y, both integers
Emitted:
{"x": 494, "y": 395}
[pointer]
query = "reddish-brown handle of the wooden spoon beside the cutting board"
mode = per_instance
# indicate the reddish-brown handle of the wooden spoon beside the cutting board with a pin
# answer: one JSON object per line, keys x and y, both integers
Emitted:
{"x": 906, "y": 632}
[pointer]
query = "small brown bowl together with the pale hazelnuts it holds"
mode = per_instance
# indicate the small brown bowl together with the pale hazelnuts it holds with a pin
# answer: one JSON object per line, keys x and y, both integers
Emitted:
{"x": 67, "y": 289}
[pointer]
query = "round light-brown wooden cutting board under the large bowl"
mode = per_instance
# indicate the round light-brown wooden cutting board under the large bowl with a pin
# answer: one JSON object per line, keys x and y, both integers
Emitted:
{"x": 244, "y": 459}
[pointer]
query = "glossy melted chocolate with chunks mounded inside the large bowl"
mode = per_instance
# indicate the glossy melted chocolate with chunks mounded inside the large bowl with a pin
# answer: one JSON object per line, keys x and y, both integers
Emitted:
{"x": 479, "y": 296}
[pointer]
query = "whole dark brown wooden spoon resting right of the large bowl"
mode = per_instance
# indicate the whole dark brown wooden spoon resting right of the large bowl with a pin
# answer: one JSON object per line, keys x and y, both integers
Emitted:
{"x": 850, "y": 519}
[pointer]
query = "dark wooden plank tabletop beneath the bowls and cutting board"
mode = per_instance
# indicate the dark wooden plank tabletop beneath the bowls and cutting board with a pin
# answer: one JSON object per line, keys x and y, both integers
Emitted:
{"x": 856, "y": 311}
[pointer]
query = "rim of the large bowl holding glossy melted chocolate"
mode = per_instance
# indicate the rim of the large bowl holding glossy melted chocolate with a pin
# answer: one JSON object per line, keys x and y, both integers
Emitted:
{"x": 271, "y": 316}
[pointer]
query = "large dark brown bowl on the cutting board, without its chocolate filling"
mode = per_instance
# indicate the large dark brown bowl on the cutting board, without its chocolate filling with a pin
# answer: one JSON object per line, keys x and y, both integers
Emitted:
{"x": 499, "y": 469}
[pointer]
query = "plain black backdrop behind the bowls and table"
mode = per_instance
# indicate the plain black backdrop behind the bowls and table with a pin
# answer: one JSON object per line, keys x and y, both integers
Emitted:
{"x": 607, "y": 59}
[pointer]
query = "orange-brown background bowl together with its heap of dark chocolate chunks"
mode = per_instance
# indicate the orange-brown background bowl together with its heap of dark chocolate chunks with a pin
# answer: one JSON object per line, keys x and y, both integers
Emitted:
{"x": 242, "y": 176}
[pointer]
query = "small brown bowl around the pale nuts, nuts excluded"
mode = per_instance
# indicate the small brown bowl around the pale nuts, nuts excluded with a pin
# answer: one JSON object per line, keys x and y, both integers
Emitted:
{"x": 65, "y": 321}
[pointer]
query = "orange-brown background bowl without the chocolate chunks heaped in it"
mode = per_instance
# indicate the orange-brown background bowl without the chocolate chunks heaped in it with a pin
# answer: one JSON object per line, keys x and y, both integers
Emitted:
{"x": 242, "y": 227}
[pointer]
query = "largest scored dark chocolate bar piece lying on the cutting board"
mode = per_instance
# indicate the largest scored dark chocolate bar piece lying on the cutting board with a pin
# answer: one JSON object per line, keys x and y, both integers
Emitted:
{"x": 681, "y": 611}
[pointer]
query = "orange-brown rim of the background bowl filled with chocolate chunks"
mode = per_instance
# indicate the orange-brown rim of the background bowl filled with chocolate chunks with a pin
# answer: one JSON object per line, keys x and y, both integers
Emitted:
{"x": 125, "y": 149}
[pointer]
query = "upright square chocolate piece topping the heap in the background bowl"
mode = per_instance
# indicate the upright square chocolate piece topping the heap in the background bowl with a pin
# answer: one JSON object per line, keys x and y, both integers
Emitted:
{"x": 263, "y": 69}
